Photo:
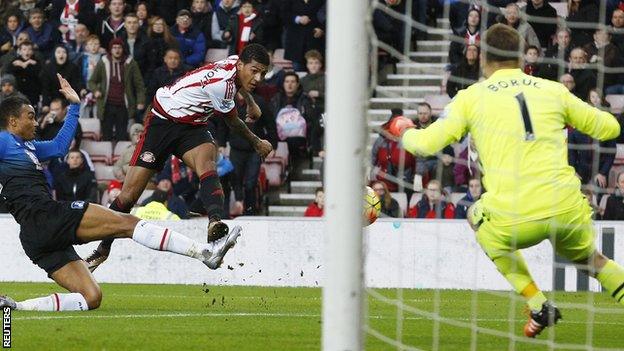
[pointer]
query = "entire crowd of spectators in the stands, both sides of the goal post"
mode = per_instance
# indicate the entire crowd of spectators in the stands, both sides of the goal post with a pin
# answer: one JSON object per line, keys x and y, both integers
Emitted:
{"x": 117, "y": 53}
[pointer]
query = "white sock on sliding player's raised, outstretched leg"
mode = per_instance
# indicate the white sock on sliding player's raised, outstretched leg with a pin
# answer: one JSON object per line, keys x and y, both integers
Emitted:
{"x": 165, "y": 239}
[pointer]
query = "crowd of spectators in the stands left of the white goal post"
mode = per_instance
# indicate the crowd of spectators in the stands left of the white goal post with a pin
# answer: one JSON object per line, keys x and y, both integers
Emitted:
{"x": 117, "y": 53}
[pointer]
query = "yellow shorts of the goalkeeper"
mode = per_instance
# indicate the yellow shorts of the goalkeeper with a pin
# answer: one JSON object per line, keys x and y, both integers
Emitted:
{"x": 571, "y": 233}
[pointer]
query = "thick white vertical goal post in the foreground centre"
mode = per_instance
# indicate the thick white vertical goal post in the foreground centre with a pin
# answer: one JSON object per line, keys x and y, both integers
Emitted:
{"x": 347, "y": 100}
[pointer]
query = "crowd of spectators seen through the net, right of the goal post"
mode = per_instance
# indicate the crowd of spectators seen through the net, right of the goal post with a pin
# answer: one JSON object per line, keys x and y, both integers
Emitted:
{"x": 587, "y": 59}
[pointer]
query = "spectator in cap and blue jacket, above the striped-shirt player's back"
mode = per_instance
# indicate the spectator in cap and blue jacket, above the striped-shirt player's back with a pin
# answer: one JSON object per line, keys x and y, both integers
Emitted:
{"x": 191, "y": 41}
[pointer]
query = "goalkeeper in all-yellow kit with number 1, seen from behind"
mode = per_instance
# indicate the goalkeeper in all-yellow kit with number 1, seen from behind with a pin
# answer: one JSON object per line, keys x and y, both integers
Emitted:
{"x": 517, "y": 123}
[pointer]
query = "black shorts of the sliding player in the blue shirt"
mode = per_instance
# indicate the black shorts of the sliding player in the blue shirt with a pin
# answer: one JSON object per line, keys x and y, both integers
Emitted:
{"x": 48, "y": 231}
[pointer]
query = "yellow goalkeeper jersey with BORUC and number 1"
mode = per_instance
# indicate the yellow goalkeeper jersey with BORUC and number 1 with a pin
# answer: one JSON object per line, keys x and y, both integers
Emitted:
{"x": 518, "y": 124}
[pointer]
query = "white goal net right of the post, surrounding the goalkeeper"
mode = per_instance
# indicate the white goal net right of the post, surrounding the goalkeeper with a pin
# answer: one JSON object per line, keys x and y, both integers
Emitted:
{"x": 428, "y": 284}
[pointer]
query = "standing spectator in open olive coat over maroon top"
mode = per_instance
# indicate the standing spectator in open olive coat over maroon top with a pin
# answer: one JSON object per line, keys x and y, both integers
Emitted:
{"x": 118, "y": 86}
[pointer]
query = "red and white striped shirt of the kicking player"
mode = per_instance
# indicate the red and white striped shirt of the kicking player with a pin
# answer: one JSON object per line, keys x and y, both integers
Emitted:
{"x": 194, "y": 97}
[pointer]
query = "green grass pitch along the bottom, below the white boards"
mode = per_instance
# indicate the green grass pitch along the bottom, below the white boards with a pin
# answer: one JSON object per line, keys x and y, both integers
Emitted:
{"x": 189, "y": 317}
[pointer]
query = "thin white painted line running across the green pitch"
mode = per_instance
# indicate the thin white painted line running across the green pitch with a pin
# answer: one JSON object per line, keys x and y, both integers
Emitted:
{"x": 273, "y": 315}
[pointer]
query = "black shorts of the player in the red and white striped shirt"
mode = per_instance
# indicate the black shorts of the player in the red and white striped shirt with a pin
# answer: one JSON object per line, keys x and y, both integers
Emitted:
{"x": 162, "y": 138}
